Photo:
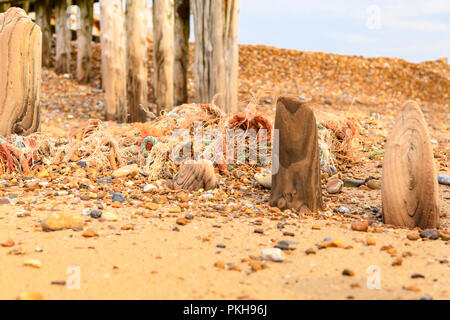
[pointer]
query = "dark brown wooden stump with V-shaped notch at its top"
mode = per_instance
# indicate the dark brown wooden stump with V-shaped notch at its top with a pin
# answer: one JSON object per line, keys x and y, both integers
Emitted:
{"x": 297, "y": 182}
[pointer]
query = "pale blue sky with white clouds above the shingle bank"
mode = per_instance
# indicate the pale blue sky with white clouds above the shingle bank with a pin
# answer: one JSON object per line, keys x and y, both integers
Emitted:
{"x": 415, "y": 30}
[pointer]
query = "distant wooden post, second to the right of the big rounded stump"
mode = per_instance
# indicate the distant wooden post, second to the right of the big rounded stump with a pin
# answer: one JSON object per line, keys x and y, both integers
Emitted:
{"x": 63, "y": 36}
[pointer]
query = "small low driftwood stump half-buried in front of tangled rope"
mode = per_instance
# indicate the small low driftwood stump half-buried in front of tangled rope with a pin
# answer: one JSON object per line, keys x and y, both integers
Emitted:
{"x": 194, "y": 176}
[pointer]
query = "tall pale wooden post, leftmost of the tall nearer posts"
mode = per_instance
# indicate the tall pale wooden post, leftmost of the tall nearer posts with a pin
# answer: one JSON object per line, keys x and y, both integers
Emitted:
{"x": 114, "y": 62}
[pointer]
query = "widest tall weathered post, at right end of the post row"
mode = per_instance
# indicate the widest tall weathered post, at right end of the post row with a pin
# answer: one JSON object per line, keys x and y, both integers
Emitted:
{"x": 216, "y": 61}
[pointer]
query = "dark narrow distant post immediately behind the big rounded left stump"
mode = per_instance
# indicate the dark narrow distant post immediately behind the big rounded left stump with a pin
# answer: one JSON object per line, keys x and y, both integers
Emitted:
{"x": 43, "y": 15}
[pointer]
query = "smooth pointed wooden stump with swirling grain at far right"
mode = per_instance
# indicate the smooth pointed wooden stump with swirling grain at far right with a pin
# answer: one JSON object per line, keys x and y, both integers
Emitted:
{"x": 409, "y": 189}
